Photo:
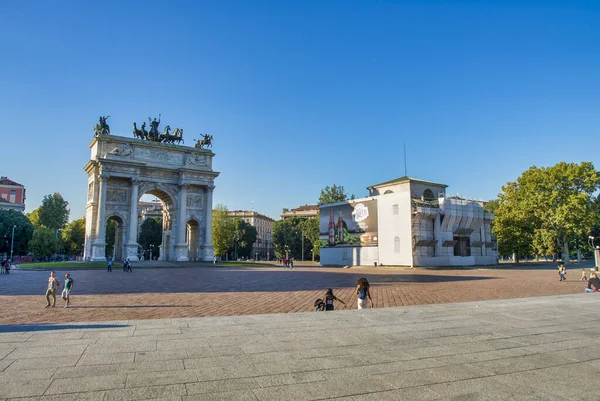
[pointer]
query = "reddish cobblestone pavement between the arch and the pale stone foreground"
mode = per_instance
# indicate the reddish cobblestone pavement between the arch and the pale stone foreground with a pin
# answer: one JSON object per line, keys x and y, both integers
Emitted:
{"x": 222, "y": 291}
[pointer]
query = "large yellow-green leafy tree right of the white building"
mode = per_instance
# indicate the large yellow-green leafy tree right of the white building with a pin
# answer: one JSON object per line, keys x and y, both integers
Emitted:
{"x": 556, "y": 200}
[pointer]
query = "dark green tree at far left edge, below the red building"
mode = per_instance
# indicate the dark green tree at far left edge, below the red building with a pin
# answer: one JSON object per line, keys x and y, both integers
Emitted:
{"x": 23, "y": 232}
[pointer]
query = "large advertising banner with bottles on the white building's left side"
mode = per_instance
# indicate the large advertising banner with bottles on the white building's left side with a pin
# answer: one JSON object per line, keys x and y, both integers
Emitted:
{"x": 349, "y": 224}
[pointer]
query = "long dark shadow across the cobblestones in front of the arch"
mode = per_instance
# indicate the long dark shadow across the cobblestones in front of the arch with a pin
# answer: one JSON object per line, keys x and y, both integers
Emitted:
{"x": 211, "y": 280}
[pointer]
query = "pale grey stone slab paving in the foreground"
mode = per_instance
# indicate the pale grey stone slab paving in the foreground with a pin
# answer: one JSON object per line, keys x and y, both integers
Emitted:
{"x": 521, "y": 349}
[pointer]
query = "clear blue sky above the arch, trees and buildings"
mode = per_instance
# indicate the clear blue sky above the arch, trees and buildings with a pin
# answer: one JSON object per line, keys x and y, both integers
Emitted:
{"x": 303, "y": 94}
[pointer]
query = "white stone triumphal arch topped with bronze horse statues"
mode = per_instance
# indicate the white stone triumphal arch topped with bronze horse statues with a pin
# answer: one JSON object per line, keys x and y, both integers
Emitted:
{"x": 122, "y": 169}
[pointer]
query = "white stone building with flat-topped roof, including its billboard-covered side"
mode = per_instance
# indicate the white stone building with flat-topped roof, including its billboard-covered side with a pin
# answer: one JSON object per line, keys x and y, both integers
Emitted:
{"x": 407, "y": 222}
